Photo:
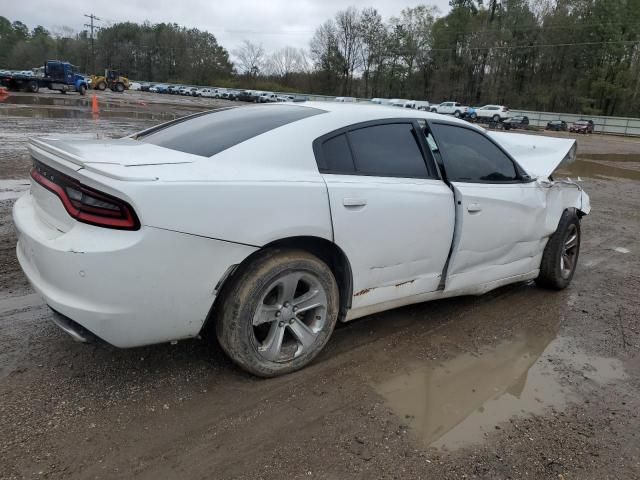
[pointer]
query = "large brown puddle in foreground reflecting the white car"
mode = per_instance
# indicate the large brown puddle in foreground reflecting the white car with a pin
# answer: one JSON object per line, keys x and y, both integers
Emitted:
{"x": 458, "y": 402}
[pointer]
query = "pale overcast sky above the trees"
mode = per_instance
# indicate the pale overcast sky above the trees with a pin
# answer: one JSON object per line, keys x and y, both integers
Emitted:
{"x": 274, "y": 23}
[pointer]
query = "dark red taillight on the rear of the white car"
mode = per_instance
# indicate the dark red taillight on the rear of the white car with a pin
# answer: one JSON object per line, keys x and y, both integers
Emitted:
{"x": 86, "y": 204}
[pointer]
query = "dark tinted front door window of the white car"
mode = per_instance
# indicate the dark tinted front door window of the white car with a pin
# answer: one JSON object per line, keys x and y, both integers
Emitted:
{"x": 471, "y": 157}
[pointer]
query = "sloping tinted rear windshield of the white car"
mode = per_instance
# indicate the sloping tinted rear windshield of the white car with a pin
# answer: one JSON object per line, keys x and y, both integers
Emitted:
{"x": 212, "y": 132}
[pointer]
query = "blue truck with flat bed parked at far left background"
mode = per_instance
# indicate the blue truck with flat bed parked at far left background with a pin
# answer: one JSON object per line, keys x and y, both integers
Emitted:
{"x": 61, "y": 76}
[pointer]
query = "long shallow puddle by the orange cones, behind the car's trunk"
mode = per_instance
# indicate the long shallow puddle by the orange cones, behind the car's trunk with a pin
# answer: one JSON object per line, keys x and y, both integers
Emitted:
{"x": 61, "y": 113}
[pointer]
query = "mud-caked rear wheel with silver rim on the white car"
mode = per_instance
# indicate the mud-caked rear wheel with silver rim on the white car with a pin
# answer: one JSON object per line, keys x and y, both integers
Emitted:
{"x": 278, "y": 312}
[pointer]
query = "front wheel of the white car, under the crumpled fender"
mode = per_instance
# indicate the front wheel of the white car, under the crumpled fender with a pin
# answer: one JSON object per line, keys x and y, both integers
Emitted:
{"x": 554, "y": 270}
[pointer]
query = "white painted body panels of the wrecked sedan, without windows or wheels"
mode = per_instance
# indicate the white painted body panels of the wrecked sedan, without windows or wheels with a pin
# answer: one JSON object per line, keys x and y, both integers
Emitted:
{"x": 202, "y": 216}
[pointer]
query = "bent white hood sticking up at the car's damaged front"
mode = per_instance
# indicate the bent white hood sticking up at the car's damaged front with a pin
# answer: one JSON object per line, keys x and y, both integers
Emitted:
{"x": 540, "y": 156}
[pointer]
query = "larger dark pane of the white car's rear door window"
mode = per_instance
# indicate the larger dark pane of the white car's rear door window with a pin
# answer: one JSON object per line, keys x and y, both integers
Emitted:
{"x": 388, "y": 151}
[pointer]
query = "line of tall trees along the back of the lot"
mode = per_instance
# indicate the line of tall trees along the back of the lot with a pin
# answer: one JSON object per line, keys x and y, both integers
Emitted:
{"x": 556, "y": 55}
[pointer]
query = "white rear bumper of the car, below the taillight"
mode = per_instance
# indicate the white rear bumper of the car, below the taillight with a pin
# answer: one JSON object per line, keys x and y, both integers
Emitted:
{"x": 127, "y": 288}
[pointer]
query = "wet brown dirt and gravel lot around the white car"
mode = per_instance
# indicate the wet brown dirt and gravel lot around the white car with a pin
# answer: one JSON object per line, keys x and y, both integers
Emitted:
{"x": 519, "y": 383}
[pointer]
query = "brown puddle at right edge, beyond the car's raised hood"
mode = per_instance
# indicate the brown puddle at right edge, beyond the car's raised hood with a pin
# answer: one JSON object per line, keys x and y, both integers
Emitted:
{"x": 602, "y": 166}
